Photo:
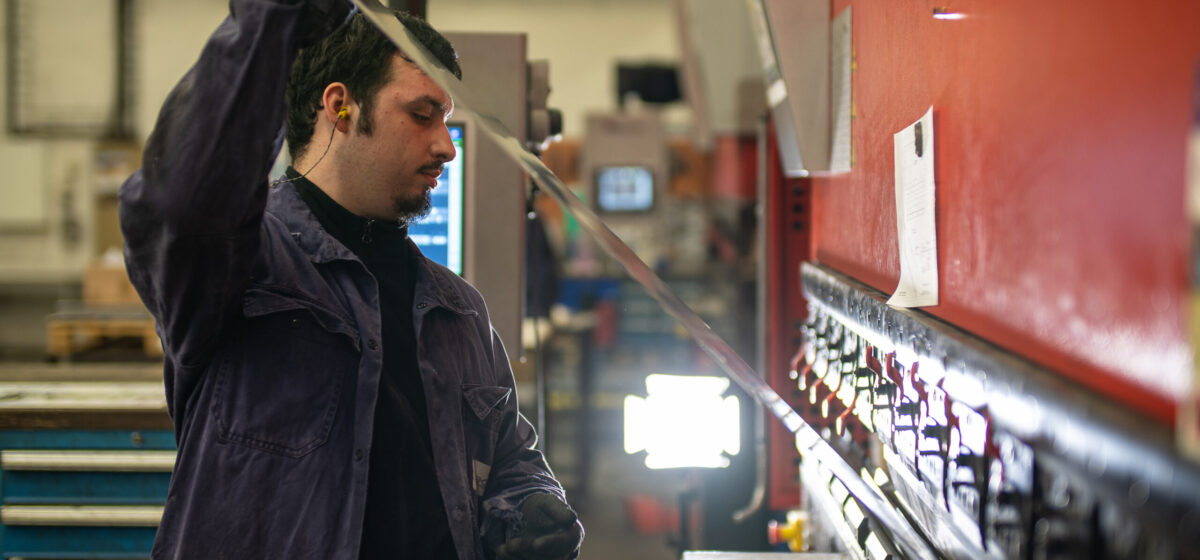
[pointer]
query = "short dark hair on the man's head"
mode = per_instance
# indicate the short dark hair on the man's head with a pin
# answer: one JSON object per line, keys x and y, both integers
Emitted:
{"x": 358, "y": 56}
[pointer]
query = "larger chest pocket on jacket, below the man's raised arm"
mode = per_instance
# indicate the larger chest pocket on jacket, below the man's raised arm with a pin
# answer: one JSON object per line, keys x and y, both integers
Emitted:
{"x": 280, "y": 386}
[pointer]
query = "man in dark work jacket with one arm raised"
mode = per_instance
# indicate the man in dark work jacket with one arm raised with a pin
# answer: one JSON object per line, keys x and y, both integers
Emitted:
{"x": 335, "y": 395}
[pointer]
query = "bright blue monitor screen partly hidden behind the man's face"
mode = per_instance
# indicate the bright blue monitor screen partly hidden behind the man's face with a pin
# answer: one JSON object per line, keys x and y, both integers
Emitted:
{"x": 440, "y": 234}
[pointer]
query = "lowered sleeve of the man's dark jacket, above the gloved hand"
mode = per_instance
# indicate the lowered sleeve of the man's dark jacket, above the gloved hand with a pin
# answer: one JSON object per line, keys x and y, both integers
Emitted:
{"x": 520, "y": 471}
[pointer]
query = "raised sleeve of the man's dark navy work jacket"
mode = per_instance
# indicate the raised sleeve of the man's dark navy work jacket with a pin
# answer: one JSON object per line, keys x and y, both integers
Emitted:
{"x": 193, "y": 215}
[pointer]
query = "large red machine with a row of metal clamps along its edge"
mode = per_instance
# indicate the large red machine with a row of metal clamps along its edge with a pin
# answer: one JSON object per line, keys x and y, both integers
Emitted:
{"x": 1031, "y": 414}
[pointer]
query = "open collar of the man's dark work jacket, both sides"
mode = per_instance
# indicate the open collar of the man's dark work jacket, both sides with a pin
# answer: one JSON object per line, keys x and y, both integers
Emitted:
{"x": 435, "y": 285}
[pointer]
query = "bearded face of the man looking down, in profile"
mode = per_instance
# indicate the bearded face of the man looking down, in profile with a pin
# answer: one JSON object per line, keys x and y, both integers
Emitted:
{"x": 399, "y": 161}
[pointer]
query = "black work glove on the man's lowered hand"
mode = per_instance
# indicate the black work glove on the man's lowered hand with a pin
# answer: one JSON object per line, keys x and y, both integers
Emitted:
{"x": 551, "y": 532}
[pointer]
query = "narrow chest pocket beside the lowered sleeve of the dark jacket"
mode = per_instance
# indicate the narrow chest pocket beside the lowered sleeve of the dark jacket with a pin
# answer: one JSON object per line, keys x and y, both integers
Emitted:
{"x": 483, "y": 419}
